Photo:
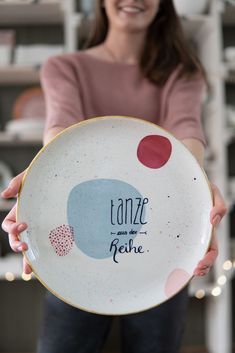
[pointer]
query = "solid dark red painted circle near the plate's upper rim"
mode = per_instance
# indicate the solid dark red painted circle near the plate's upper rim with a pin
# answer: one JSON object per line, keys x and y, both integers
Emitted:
{"x": 154, "y": 151}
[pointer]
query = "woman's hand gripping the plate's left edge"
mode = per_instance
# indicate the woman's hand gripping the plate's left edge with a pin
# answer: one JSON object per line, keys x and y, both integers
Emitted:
{"x": 9, "y": 224}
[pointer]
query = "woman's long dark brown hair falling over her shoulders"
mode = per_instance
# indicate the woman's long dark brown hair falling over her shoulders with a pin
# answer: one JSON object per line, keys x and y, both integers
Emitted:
{"x": 165, "y": 46}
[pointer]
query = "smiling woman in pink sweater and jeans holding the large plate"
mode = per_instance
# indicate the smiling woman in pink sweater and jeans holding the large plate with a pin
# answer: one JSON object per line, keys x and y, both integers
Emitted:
{"x": 138, "y": 65}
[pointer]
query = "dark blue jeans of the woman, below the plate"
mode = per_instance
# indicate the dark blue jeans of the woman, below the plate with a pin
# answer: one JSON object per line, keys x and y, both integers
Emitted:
{"x": 66, "y": 329}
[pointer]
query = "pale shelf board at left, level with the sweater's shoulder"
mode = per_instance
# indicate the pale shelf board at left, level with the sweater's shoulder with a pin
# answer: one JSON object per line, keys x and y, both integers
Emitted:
{"x": 14, "y": 74}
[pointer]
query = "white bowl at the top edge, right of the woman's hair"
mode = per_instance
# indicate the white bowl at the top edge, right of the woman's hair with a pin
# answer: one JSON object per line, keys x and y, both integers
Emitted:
{"x": 189, "y": 7}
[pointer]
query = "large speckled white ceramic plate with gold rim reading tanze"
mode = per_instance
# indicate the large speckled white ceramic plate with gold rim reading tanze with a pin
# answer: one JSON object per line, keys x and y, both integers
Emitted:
{"x": 118, "y": 214}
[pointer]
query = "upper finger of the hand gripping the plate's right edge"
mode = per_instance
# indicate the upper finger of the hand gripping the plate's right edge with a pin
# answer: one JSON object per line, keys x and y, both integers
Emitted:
{"x": 219, "y": 209}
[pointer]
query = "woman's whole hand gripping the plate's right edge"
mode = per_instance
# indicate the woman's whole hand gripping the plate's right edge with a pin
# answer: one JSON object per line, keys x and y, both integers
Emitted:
{"x": 217, "y": 213}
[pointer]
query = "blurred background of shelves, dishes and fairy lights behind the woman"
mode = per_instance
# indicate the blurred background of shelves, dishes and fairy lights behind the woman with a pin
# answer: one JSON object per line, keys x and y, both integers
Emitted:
{"x": 30, "y": 32}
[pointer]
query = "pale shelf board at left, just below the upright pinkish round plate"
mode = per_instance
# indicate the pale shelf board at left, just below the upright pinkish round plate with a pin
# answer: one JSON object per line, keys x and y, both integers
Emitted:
{"x": 9, "y": 139}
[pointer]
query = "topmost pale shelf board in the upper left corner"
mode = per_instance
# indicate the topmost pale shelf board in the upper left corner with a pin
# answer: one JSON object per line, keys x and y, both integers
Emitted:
{"x": 25, "y": 13}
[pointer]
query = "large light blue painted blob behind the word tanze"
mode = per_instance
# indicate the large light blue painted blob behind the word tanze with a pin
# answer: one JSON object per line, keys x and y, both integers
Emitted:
{"x": 98, "y": 210}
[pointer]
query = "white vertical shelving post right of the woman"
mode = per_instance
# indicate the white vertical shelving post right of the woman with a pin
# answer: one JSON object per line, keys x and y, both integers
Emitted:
{"x": 218, "y": 309}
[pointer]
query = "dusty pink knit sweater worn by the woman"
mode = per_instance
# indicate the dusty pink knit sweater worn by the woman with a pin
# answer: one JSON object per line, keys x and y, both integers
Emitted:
{"x": 78, "y": 86}
